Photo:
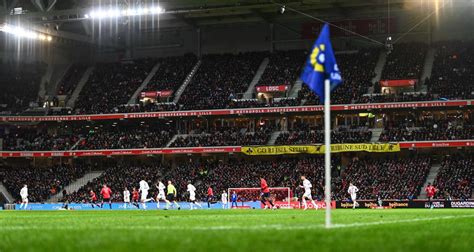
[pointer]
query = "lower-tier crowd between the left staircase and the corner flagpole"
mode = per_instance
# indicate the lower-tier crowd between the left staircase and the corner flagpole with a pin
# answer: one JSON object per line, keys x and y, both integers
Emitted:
{"x": 216, "y": 174}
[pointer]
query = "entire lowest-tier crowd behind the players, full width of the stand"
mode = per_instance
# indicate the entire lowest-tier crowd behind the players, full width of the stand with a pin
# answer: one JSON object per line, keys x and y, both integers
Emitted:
{"x": 389, "y": 177}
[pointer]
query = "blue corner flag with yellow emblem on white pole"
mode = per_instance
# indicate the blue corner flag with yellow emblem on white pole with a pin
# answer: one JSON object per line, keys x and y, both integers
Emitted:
{"x": 321, "y": 65}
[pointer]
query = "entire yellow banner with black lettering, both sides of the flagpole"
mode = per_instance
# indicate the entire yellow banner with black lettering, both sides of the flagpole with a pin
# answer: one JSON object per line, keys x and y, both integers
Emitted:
{"x": 319, "y": 149}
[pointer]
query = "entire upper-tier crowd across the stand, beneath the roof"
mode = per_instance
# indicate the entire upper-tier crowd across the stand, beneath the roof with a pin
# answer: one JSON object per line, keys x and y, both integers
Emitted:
{"x": 221, "y": 79}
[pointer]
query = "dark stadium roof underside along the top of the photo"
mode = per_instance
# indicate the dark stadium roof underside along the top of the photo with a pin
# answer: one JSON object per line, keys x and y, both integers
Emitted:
{"x": 70, "y": 21}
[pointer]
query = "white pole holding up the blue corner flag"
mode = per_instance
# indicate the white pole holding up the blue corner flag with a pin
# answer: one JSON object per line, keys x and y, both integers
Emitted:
{"x": 327, "y": 152}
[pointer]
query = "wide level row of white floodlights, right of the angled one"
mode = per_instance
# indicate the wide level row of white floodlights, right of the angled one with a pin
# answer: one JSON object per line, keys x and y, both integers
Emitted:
{"x": 115, "y": 13}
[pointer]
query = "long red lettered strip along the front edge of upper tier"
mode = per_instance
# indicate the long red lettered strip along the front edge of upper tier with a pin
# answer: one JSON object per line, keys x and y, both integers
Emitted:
{"x": 244, "y": 111}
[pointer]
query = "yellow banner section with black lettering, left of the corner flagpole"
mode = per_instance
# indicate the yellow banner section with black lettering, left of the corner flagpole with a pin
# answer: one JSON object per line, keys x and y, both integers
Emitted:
{"x": 279, "y": 150}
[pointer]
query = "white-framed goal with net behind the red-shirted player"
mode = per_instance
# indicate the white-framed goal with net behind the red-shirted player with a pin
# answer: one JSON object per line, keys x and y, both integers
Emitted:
{"x": 250, "y": 197}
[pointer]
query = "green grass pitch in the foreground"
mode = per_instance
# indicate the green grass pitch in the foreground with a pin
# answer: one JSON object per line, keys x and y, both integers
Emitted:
{"x": 238, "y": 230}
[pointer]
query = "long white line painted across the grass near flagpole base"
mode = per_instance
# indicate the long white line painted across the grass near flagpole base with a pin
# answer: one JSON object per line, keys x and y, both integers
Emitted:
{"x": 243, "y": 228}
